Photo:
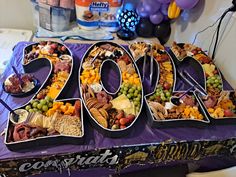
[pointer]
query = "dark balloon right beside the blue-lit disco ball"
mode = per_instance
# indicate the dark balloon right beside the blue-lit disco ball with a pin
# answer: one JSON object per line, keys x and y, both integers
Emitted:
{"x": 144, "y": 28}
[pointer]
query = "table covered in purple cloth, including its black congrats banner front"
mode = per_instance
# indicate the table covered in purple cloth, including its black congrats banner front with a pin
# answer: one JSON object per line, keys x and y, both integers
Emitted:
{"x": 144, "y": 145}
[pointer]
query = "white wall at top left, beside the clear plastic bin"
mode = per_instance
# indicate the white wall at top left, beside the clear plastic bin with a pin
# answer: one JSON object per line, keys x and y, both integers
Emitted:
{"x": 16, "y": 14}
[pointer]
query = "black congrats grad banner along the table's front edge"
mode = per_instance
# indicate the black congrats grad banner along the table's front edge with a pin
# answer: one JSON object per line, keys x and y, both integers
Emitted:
{"x": 119, "y": 157}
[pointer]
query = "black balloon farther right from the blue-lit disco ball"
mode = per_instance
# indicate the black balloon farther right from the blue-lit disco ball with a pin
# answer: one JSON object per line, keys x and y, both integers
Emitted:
{"x": 162, "y": 31}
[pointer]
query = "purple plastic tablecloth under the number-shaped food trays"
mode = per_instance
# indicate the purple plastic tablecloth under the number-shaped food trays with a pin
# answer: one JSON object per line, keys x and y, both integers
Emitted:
{"x": 141, "y": 133}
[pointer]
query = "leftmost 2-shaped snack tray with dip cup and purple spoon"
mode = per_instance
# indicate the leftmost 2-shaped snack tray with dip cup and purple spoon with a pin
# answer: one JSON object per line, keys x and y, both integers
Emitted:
{"x": 48, "y": 120}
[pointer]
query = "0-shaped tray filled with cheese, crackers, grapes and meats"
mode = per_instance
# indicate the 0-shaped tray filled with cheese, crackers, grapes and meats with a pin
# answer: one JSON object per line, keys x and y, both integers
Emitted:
{"x": 111, "y": 88}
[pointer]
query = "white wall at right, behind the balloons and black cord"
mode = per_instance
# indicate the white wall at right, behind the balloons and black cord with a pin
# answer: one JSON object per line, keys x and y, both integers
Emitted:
{"x": 203, "y": 15}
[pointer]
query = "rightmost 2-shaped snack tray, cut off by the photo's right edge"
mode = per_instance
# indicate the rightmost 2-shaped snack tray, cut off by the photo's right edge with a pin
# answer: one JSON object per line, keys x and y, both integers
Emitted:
{"x": 219, "y": 104}
